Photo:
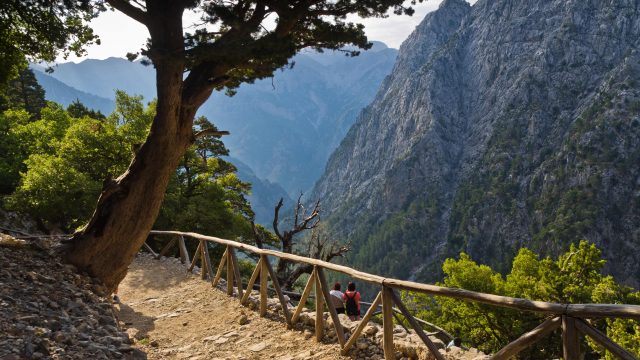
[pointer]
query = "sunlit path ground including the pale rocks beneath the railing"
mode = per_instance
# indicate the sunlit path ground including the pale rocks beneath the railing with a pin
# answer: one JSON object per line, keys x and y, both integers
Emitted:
{"x": 172, "y": 314}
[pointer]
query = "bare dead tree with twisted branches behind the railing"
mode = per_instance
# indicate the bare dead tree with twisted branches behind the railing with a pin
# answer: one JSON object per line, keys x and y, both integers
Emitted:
{"x": 318, "y": 246}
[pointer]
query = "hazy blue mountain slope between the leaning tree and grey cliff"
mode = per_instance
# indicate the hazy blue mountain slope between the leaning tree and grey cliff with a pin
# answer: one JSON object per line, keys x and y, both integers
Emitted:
{"x": 286, "y": 128}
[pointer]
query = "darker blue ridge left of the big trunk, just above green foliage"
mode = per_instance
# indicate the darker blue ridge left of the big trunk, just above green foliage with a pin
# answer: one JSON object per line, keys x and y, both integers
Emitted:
{"x": 64, "y": 94}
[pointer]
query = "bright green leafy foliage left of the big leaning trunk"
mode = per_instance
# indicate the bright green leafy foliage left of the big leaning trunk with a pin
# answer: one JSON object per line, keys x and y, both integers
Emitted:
{"x": 66, "y": 160}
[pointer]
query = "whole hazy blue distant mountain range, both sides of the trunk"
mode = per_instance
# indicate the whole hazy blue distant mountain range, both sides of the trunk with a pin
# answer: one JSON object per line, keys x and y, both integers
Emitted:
{"x": 283, "y": 129}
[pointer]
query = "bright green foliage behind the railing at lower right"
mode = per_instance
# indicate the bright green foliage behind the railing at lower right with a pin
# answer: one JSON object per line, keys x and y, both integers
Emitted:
{"x": 575, "y": 277}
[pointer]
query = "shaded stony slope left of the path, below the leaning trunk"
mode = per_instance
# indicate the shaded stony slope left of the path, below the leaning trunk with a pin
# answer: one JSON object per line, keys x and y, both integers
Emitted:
{"x": 48, "y": 311}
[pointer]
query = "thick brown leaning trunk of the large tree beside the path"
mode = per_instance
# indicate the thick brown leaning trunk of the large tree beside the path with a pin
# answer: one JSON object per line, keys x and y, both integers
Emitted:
{"x": 129, "y": 205}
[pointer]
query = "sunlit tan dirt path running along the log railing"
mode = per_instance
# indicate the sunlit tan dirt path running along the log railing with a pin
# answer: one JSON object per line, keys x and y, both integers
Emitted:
{"x": 175, "y": 315}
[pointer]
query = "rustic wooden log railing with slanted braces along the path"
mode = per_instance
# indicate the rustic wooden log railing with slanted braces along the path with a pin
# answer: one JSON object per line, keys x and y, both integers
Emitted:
{"x": 569, "y": 317}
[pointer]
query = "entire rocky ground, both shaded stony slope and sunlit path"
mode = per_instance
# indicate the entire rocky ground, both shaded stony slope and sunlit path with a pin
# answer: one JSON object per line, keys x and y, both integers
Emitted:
{"x": 49, "y": 311}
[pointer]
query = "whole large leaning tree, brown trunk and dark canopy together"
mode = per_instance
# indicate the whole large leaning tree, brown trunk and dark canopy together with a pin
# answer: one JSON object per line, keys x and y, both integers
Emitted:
{"x": 235, "y": 42}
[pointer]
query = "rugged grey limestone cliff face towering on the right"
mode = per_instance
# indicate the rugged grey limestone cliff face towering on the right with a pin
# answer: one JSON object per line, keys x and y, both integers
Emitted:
{"x": 505, "y": 124}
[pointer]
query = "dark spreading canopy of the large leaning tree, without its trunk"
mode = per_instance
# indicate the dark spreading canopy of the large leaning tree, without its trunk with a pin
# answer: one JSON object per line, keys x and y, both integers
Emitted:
{"x": 241, "y": 41}
